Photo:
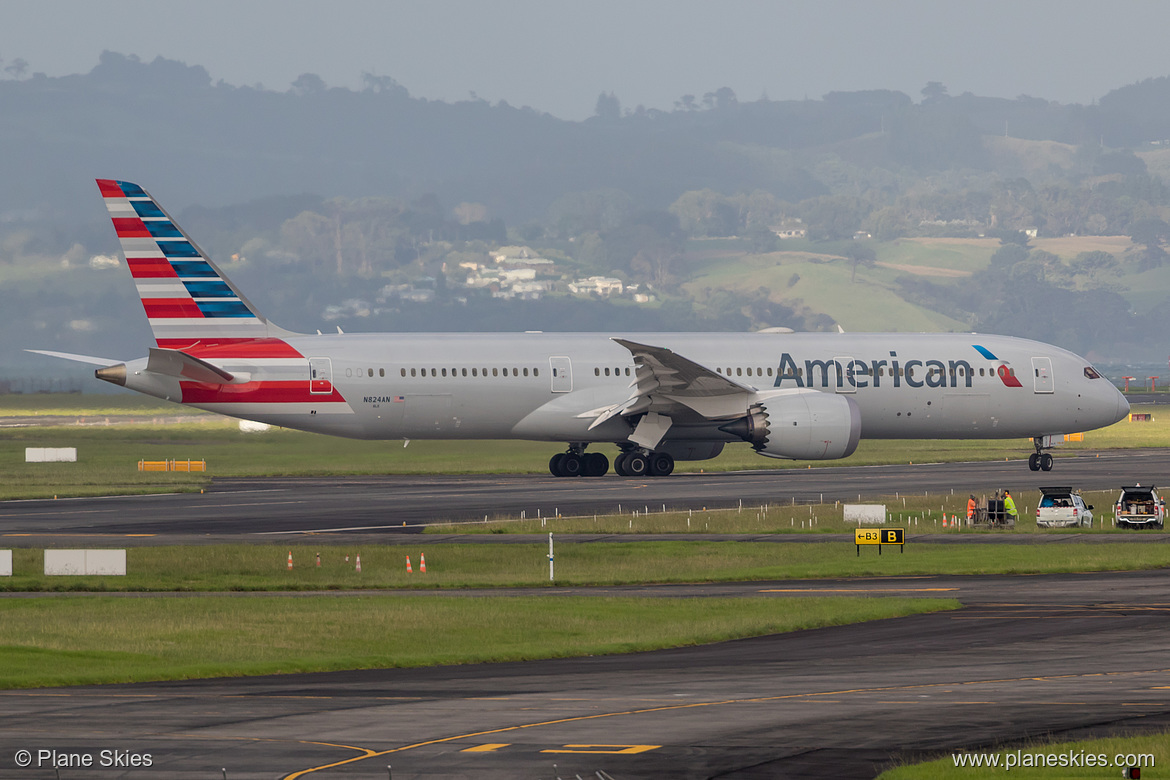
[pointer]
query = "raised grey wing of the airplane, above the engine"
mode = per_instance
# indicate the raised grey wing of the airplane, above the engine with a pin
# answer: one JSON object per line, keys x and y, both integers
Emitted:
{"x": 667, "y": 385}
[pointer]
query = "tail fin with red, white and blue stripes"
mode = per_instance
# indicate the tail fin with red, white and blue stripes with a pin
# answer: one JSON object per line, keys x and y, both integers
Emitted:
{"x": 189, "y": 301}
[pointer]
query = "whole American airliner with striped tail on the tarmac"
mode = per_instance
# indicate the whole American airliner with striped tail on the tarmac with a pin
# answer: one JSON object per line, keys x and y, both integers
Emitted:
{"x": 660, "y": 398}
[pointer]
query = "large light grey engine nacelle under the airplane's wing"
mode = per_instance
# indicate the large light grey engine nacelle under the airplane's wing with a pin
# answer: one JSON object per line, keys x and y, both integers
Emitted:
{"x": 802, "y": 425}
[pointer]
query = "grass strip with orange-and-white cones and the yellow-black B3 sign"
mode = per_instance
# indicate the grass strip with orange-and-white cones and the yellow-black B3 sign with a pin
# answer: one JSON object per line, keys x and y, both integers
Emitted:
{"x": 265, "y": 568}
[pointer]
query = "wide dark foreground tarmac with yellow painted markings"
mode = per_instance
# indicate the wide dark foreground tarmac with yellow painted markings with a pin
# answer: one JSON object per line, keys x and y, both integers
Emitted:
{"x": 1052, "y": 657}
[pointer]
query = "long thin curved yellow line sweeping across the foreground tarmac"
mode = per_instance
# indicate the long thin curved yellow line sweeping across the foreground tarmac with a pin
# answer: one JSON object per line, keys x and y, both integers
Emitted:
{"x": 762, "y": 700}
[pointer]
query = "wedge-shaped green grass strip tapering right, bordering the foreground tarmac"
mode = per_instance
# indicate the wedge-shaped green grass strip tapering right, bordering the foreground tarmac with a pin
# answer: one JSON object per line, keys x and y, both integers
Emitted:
{"x": 113, "y": 640}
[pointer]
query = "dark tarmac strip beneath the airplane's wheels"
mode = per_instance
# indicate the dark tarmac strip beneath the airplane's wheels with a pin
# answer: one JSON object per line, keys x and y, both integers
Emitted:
{"x": 373, "y": 508}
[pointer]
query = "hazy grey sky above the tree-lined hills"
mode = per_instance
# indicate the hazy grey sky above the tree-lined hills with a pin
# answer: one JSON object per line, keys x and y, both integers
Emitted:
{"x": 559, "y": 57}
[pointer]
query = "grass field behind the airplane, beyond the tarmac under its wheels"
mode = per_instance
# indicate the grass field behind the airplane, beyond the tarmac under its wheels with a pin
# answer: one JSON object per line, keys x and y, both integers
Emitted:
{"x": 108, "y": 455}
